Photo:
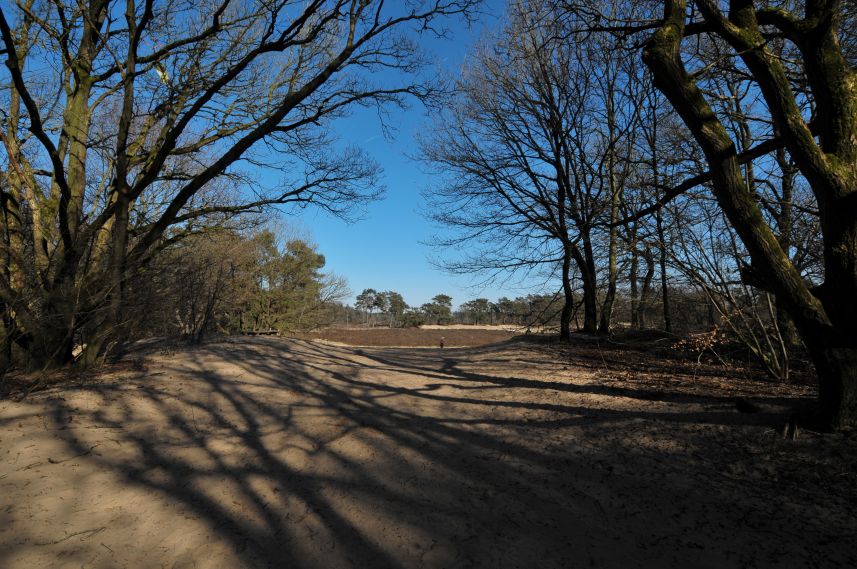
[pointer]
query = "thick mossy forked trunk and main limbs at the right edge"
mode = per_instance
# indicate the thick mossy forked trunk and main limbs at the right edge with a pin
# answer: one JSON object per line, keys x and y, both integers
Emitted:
{"x": 827, "y": 157}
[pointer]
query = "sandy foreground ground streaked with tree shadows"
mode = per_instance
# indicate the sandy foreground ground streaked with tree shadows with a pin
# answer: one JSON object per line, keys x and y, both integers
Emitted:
{"x": 269, "y": 452}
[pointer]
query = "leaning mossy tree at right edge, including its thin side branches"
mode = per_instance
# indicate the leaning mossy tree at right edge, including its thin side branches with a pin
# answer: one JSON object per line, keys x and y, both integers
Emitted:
{"x": 800, "y": 57}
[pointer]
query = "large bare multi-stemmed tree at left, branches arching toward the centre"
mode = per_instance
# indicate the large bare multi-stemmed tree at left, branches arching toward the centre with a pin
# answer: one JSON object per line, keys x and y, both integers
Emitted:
{"x": 121, "y": 122}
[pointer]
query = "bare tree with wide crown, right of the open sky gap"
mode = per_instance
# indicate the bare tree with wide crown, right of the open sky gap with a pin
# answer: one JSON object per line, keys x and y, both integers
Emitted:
{"x": 531, "y": 170}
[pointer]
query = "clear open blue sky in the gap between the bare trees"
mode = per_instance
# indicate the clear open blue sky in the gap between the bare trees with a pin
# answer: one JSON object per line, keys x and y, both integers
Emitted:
{"x": 386, "y": 250}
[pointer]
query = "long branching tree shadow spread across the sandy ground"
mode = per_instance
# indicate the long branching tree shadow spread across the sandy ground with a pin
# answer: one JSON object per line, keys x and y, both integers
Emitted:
{"x": 404, "y": 460}
